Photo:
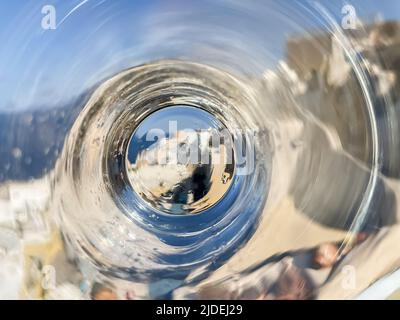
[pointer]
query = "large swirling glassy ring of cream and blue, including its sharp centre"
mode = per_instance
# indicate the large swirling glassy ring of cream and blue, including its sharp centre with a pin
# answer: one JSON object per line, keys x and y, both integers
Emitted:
{"x": 173, "y": 173}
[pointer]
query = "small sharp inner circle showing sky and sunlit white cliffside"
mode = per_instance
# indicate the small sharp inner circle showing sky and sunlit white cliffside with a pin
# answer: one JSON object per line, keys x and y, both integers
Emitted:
{"x": 180, "y": 160}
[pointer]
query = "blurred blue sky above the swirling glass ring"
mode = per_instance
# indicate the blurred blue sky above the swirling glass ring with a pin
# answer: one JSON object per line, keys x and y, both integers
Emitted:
{"x": 46, "y": 68}
